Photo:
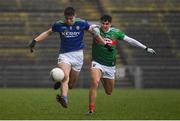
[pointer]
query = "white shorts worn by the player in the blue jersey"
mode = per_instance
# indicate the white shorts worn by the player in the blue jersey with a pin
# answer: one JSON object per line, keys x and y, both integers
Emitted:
{"x": 75, "y": 59}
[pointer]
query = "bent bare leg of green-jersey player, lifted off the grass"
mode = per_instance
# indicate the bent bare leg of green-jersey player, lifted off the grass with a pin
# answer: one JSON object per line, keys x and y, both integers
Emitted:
{"x": 108, "y": 85}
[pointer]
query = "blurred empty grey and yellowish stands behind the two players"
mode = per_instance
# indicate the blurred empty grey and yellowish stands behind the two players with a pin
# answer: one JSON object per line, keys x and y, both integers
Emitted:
{"x": 155, "y": 23}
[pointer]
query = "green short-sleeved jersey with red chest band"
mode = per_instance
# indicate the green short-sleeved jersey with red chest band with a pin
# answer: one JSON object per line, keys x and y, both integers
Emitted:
{"x": 101, "y": 54}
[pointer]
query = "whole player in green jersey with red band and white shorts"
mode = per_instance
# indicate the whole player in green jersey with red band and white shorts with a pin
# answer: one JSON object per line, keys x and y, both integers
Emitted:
{"x": 103, "y": 61}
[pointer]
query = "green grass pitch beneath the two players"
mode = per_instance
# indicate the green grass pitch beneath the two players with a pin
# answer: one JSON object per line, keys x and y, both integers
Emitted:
{"x": 123, "y": 104}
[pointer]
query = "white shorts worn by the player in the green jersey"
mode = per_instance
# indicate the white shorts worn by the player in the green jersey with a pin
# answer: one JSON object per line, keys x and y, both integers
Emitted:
{"x": 107, "y": 71}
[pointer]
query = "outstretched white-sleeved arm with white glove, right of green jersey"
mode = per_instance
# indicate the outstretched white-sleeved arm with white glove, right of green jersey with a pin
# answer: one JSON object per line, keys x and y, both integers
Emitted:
{"x": 138, "y": 44}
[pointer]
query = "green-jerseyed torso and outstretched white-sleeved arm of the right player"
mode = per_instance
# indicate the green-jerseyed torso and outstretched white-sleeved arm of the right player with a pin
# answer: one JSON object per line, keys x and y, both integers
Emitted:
{"x": 101, "y": 55}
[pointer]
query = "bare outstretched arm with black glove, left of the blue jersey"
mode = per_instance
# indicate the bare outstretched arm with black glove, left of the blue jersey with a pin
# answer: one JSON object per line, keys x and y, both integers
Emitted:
{"x": 41, "y": 37}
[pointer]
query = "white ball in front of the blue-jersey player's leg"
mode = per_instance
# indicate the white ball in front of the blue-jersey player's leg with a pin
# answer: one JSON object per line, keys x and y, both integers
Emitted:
{"x": 57, "y": 74}
